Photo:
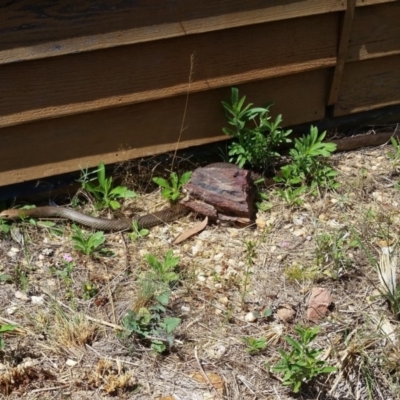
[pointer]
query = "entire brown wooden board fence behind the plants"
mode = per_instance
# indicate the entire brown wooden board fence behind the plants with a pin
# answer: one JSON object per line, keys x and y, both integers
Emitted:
{"x": 90, "y": 81}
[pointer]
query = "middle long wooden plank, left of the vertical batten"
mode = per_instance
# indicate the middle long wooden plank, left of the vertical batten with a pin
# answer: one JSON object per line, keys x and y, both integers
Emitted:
{"x": 125, "y": 75}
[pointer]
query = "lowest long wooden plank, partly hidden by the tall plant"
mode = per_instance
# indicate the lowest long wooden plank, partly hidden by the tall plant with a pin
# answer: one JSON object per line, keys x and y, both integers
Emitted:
{"x": 55, "y": 146}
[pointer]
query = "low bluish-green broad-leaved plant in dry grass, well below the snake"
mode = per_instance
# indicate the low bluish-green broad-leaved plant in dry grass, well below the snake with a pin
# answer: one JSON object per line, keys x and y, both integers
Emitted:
{"x": 153, "y": 324}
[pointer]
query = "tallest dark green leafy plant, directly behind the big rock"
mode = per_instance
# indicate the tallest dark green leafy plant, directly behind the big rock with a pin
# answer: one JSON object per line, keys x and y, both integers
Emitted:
{"x": 256, "y": 136}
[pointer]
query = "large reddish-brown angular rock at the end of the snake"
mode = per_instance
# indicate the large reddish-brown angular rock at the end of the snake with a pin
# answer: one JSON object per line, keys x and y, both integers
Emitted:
{"x": 221, "y": 193}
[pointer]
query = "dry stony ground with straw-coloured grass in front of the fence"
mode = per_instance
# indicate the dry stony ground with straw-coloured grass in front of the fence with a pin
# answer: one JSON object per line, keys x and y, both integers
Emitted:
{"x": 236, "y": 285}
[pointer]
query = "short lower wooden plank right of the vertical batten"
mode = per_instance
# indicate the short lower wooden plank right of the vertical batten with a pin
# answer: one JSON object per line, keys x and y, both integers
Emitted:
{"x": 369, "y": 84}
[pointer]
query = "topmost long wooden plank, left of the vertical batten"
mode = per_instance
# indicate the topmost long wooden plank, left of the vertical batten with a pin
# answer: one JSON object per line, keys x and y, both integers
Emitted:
{"x": 39, "y": 29}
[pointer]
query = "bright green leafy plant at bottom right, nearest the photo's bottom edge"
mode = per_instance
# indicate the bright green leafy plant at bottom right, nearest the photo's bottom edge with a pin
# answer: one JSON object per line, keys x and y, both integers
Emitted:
{"x": 301, "y": 364}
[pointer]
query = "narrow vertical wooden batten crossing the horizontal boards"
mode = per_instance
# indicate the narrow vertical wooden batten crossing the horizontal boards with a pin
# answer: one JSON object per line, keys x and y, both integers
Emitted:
{"x": 342, "y": 52}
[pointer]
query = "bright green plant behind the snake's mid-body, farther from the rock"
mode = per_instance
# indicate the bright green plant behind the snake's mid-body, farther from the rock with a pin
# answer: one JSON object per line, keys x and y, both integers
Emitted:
{"x": 105, "y": 195}
